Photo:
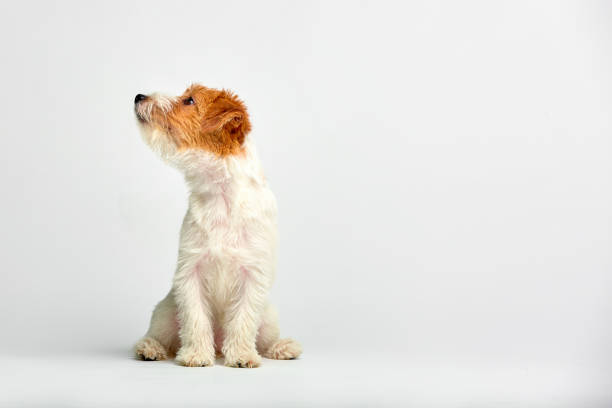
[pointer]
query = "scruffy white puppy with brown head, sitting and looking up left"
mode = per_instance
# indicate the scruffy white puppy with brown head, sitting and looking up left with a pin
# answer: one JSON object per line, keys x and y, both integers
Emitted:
{"x": 227, "y": 253}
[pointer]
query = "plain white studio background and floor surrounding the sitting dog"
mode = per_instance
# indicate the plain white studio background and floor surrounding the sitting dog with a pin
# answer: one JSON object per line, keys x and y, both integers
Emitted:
{"x": 443, "y": 173}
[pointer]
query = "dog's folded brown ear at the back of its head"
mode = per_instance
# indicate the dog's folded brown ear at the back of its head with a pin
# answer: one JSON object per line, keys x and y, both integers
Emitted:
{"x": 226, "y": 123}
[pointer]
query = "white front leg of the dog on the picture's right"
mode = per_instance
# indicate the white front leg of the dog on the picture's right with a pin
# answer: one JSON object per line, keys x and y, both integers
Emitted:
{"x": 243, "y": 319}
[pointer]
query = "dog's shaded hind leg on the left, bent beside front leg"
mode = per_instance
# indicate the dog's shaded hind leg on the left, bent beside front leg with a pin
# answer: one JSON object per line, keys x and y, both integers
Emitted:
{"x": 161, "y": 340}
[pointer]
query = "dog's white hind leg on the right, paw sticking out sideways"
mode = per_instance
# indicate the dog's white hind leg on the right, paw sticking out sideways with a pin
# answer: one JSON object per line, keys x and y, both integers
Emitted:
{"x": 269, "y": 343}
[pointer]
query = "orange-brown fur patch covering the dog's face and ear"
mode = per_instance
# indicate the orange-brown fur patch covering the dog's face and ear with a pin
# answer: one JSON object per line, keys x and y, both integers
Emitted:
{"x": 217, "y": 121}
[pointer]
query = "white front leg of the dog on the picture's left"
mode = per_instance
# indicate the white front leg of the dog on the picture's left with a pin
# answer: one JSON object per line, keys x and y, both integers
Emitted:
{"x": 193, "y": 311}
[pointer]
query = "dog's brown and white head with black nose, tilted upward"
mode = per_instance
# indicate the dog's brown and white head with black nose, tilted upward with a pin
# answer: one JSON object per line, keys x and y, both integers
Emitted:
{"x": 201, "y": 119}
